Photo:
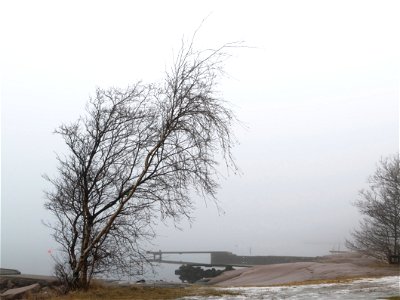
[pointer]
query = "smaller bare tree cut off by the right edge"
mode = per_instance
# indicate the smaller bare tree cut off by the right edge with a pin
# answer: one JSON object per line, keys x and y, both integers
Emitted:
{"x": 379, "y": 232}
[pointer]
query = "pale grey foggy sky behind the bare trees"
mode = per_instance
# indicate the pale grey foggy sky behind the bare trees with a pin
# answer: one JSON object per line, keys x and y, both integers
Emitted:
{"x": 319, "y": 95}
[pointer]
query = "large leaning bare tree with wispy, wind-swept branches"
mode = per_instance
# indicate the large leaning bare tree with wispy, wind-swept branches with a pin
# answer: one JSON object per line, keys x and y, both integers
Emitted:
{"x": 136, "y": 154}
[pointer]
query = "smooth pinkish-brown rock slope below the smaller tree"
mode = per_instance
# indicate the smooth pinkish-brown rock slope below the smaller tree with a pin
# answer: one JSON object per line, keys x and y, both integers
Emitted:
{"x": 334, "y": 267}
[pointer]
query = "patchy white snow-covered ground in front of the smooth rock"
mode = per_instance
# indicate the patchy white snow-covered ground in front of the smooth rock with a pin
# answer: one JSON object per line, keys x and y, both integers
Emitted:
{"x": 371, "y": 288}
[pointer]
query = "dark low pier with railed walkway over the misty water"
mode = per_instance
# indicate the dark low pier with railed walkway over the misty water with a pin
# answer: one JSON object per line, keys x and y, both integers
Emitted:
{"x": 225, "y": 258}
